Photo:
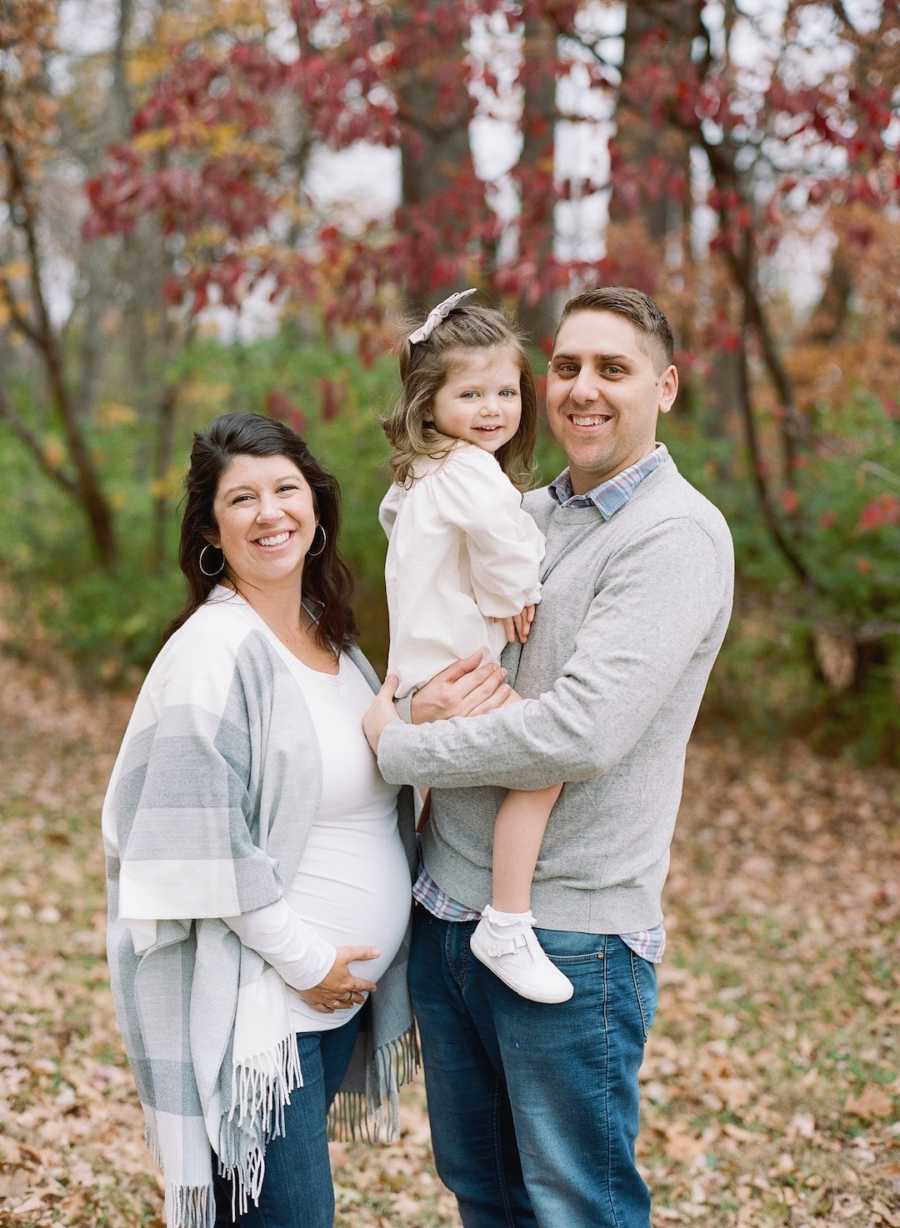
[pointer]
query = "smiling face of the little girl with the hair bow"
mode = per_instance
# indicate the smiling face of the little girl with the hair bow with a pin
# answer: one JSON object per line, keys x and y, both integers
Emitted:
{"x": 481, "y": 400}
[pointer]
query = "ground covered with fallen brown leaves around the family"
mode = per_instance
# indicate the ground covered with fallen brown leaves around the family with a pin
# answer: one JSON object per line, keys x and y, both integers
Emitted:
{"x": 772, "y": 1076}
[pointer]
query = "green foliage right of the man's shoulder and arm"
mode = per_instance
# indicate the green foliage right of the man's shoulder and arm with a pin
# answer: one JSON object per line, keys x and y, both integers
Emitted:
{"x": 774, "y": 675}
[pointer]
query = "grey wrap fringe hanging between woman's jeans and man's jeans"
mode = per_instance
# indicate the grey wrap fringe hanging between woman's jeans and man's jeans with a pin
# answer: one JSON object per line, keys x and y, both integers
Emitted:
{"x": 374, "y": 1116}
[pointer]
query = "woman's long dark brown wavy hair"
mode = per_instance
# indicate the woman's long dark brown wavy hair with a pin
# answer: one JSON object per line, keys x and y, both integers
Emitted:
{"x": 327, "y": 583}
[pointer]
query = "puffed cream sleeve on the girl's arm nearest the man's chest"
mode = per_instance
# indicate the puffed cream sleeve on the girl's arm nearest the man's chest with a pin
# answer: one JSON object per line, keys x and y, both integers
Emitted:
{"x": 505, "y": 546}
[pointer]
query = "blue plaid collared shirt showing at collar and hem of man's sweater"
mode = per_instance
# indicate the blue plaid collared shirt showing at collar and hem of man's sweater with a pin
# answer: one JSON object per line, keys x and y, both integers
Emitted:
{"x": 608, "y": 499}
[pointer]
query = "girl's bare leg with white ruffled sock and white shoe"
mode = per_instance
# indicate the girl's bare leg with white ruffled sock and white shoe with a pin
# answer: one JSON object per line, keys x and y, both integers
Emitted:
{"x": 505, "y": 940}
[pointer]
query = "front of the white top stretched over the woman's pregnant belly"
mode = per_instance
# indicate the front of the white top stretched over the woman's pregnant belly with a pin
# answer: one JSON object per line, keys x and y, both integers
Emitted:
{"x": 353, "y": 885}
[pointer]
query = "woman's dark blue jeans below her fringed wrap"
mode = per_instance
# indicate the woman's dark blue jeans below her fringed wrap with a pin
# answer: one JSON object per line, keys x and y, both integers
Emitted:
{"x": 298, "y": 1191}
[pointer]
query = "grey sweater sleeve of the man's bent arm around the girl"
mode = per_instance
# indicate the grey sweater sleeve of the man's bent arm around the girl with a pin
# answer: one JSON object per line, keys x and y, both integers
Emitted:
{"x": 644, "y": 627}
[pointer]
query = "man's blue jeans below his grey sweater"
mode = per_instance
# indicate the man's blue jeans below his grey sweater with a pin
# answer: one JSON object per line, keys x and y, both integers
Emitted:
{"x": 533, "y": 1108}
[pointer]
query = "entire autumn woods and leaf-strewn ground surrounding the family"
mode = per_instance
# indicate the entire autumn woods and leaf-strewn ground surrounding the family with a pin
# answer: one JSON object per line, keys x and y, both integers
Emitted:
{"x": 233, "y": 204}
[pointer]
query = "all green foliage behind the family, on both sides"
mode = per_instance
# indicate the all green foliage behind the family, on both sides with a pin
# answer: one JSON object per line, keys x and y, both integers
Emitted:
{"x": 768, "y": 682}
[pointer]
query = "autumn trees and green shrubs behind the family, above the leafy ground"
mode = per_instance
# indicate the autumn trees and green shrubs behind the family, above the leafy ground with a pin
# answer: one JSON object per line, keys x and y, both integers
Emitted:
{"x": 212, "y": 207}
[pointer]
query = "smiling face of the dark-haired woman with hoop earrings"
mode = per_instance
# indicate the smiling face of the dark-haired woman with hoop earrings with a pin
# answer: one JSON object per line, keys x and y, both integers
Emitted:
{"x": 266, "y": 515}
